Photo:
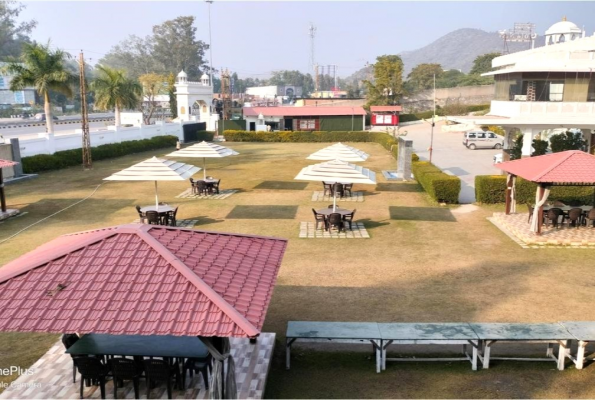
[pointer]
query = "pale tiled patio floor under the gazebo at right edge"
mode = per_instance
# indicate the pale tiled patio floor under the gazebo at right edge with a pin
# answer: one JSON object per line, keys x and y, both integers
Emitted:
{"x": 517, "y": 227}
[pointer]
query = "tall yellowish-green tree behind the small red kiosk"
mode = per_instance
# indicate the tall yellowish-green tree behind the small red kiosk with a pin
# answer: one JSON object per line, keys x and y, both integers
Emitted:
{"x": 387, "y": 87}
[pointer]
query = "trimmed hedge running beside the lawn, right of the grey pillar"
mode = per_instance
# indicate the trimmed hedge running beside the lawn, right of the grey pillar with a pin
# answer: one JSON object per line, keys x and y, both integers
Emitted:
{"x": 440, "y": 186}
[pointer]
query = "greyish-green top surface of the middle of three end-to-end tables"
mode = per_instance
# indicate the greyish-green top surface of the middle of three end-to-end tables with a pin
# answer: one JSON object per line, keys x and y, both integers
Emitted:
{"x": 427, "y": 331}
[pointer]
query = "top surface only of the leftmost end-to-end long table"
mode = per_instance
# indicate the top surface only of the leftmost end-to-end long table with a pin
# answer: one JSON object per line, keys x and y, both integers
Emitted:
{"x": 332, "y": 330}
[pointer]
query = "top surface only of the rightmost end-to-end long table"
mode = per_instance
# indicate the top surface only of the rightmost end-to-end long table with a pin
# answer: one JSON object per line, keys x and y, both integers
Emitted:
{"x": 518, "y": 331}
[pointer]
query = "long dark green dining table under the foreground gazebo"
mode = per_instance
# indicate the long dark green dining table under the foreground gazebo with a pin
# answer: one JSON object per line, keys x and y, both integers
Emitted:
{"x": 140, "y": 345}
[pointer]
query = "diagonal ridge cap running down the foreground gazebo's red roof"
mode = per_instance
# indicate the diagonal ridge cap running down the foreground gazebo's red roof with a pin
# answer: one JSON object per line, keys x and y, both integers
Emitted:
{"x": 205, "y": 289}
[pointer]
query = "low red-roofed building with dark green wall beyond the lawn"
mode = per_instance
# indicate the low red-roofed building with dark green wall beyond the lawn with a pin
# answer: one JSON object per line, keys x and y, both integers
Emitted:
{"x": 306, "y": 118}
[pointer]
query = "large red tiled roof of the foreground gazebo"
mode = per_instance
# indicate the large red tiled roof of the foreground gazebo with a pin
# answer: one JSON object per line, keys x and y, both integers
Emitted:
{"x": 142, "y": 279}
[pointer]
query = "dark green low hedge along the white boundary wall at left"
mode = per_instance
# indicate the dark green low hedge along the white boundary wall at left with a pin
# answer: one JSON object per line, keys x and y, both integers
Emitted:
{"x": 71, "y": 158}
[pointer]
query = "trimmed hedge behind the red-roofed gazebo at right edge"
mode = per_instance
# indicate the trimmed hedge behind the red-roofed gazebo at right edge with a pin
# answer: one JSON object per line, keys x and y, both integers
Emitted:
{"x": 491, "y": 189}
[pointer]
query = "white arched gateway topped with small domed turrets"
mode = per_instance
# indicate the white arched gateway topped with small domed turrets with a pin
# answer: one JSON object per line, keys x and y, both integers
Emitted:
{"x": 195, "y": 101}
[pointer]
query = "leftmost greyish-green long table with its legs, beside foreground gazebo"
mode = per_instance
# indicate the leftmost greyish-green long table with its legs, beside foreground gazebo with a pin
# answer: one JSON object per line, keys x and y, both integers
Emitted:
{"x": 349, "y": 332}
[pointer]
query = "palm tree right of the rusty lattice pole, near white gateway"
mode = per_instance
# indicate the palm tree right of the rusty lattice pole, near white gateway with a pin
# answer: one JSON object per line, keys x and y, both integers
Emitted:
{"x": 113, "y": 90}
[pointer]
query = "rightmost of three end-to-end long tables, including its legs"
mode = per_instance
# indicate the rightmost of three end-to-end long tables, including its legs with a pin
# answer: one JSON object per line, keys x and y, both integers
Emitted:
{"x": 549, "y": 333}
